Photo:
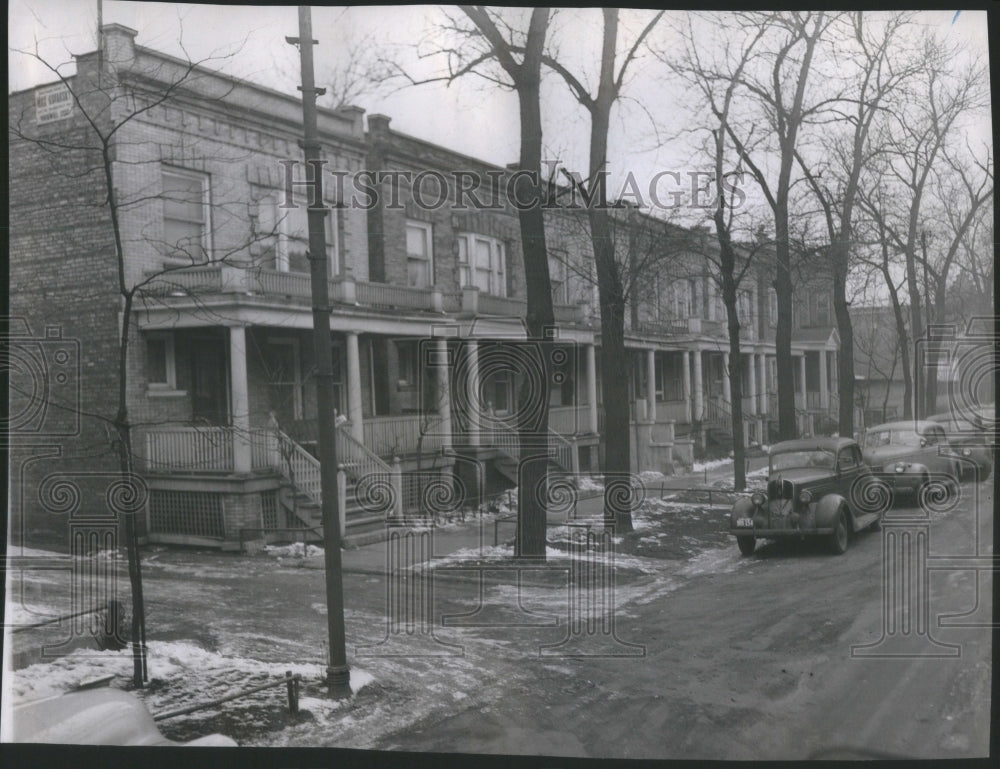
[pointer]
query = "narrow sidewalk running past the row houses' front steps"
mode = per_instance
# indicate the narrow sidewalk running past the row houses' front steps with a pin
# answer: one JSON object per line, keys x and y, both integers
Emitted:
{"x": 476, "y": 532}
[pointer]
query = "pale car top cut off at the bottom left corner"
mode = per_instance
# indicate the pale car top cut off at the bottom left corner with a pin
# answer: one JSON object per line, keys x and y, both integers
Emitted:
{"x": 94, "y": 717}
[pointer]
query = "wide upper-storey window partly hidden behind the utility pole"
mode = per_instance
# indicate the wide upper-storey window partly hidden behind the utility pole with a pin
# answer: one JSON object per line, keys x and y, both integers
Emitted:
{"x": 283, "y": 235}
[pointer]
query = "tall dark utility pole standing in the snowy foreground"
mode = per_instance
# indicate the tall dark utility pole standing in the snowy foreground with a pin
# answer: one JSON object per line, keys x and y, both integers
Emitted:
{"x": 338, "y": 675}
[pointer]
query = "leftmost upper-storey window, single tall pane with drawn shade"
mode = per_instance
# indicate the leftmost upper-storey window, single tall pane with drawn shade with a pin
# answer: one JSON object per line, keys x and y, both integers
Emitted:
{"x": 185, "y": 214}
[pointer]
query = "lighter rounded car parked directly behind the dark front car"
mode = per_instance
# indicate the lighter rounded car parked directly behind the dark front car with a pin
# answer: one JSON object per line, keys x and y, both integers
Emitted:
{"x": 909, "y": 454}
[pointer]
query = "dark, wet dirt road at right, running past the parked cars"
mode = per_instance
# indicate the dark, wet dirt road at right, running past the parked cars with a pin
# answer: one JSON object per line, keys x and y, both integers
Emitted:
{"x": 755, "y": 663}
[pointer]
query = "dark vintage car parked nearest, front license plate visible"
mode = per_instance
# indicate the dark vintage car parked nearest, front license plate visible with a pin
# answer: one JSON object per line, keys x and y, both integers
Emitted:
{"x": 817, "y": 487}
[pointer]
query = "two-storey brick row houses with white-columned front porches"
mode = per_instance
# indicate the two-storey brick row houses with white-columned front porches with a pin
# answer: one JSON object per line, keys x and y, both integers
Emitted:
{"x": 427, "y": 298}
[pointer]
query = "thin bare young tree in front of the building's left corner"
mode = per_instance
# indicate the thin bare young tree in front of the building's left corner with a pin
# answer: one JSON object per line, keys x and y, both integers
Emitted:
{"x": 108, "y": 96}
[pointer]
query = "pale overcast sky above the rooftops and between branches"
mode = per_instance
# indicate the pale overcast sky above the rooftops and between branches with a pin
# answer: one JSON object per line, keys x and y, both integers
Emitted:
{"x": 470, "y": 116}
